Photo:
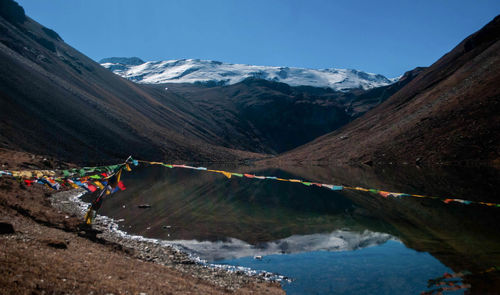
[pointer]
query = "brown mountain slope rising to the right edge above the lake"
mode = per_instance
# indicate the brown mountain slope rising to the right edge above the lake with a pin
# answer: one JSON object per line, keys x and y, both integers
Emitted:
{"x": 447, "y": 114}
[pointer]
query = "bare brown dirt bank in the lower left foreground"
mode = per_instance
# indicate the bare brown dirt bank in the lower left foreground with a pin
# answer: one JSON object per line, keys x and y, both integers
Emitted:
{"x": 47, "y": 253}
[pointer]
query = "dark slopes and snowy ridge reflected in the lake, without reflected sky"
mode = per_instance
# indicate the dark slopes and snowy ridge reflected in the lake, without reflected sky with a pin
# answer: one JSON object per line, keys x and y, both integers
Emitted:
{"x": 219, "y": 218}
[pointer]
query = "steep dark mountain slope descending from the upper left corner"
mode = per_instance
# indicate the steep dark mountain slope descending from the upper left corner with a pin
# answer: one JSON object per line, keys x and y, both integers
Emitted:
{"x": 58, "y": 102}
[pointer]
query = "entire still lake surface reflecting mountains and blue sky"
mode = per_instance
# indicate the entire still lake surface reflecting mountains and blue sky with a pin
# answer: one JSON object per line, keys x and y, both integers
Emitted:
{"x": 326, "y": 242}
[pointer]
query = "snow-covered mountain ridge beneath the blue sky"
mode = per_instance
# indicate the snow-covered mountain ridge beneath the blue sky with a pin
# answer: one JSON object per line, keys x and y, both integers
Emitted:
{"x": 218, "y": 73}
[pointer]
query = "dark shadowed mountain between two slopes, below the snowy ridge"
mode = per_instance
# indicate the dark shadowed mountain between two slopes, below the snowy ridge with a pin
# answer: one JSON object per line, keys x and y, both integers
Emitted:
{"x": 271, "y": 117}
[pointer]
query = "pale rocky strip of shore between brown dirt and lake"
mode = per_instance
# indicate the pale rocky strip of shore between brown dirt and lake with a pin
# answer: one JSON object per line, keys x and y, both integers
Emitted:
{"x": 105, "y": 230}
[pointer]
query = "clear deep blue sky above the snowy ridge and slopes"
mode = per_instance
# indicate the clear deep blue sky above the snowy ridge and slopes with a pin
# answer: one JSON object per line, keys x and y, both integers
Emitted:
{"x": 384, "y": 37}
